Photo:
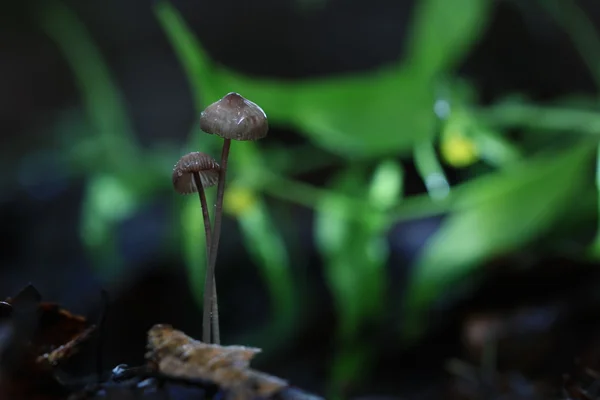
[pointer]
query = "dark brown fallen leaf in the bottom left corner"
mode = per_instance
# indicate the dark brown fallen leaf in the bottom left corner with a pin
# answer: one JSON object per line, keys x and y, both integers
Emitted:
{"x": 37, "y": 336}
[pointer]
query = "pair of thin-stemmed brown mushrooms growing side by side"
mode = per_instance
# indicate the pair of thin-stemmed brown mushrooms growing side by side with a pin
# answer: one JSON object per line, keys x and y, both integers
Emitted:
{"x": 233, "y": 118}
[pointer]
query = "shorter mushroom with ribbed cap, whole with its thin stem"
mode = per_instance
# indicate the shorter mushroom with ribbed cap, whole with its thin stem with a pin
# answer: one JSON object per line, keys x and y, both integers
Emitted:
{"x": 192, "y": 174}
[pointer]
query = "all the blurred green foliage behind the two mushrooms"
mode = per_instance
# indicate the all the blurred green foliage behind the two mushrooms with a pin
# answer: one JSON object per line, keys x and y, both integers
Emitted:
{"x": 373, "y": 117}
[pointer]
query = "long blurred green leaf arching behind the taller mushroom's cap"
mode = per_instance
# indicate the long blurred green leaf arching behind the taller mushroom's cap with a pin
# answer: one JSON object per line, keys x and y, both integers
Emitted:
{"x": 364, "y": 115}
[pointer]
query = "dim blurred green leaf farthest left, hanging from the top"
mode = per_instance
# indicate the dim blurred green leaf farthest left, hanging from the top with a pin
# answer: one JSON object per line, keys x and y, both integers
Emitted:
{"x": 109, "y": 157}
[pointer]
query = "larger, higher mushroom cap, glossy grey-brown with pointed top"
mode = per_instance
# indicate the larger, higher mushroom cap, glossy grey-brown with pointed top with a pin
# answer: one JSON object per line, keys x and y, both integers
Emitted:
{"x": 234, "y": 117}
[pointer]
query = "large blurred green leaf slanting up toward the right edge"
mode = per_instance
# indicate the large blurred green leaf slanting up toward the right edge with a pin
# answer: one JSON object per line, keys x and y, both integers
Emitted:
{"x": 493, "y": 215}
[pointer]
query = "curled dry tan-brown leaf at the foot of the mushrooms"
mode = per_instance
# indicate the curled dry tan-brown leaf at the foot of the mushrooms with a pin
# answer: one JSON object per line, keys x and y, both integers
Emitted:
{"x": 176, "y": 354}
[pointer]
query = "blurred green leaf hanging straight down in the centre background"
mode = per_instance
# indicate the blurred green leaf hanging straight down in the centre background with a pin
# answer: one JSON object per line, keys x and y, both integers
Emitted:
{"x": 354, "y": 256}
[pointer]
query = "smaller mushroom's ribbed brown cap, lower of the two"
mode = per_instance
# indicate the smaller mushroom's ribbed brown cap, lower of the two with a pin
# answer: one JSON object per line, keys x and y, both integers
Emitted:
{"x": 205, "y": 165}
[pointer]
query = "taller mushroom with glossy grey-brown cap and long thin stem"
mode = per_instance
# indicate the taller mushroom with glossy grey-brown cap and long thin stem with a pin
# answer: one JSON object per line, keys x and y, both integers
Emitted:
{"x": 233, "y": 118}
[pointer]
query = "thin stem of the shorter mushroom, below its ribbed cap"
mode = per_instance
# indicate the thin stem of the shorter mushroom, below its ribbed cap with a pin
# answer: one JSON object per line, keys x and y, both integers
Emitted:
{"x": 208, "y": 305}
